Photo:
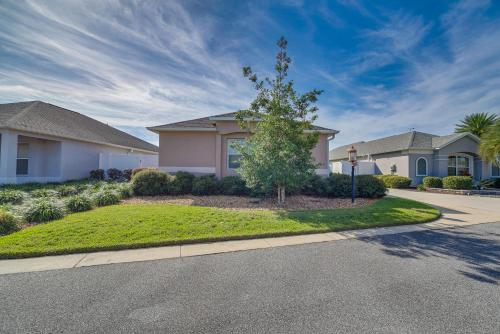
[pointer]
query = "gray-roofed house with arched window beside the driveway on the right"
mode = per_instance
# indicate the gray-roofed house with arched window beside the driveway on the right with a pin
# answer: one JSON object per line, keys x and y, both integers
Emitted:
{"x": 417, "y": 154}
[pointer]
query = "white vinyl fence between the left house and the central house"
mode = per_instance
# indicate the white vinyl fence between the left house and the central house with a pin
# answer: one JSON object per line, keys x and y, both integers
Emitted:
{"x": 127, "y": 161}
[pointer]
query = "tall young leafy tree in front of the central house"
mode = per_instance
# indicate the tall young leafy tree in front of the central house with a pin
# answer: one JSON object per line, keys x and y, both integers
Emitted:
{"x": 277, "y": 157}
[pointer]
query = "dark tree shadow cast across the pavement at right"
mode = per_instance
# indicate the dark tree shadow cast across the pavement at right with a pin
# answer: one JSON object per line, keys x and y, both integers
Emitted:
{"x": 479, "y": 251}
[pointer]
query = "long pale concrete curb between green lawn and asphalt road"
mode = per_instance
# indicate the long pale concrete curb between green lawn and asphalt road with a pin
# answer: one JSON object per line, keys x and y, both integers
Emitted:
{"x": 171, "y": 252}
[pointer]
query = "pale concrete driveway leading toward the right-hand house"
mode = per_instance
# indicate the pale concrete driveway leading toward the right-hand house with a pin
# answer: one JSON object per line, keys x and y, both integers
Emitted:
{"x": 458, "y": 209}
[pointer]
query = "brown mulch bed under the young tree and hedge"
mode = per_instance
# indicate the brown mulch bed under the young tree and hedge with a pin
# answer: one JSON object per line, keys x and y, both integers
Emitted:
{"x": 298, "y": 202}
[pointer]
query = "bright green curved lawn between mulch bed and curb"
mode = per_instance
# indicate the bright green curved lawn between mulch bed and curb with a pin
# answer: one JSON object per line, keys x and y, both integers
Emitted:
{"x": 133, "y": 226}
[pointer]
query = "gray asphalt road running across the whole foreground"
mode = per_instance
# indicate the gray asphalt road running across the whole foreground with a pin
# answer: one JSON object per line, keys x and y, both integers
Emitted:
{"x": 421, "y": 282}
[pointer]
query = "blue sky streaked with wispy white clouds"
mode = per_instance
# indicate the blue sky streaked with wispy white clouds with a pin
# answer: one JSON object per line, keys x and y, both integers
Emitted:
{"x": 385, "y": 67}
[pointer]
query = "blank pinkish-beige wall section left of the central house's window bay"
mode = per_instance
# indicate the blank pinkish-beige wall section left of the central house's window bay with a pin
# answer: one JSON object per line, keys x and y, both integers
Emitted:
{"x": 190, "y": 151}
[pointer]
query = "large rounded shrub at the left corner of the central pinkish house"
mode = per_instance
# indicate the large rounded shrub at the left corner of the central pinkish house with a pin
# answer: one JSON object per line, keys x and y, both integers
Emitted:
{"x": 150, "y": 182}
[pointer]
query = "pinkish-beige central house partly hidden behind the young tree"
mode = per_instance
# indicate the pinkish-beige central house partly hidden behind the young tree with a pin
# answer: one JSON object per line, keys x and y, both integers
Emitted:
{"x": 204, "y": 146}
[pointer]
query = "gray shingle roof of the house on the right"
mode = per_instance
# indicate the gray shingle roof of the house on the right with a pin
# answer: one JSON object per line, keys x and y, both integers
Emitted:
{"x": 400, "y": 142}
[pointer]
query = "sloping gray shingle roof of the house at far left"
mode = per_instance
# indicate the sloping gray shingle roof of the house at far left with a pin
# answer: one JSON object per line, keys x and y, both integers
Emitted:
{"x": 47, "y": 119}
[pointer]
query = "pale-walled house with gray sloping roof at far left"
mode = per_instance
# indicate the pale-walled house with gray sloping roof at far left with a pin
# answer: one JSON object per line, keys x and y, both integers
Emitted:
{"x": 41, "y": 142}
